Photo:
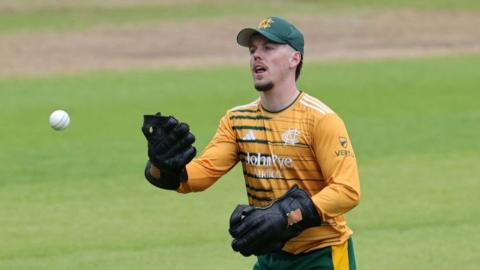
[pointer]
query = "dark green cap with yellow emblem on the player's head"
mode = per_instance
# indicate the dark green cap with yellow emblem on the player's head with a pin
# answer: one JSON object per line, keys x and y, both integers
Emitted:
{"x": 275, "y": 29}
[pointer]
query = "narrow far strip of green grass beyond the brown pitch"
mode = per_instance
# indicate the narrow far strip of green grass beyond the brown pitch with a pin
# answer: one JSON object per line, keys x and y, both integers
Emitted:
{"x": 80, "y": 17}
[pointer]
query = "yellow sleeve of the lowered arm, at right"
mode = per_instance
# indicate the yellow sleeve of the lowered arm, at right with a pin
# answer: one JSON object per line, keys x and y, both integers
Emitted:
{"x": 337, "y": 161}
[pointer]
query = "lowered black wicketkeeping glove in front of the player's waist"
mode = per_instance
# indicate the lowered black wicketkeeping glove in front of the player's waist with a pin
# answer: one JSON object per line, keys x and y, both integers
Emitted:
{"x": 262, "y": 230}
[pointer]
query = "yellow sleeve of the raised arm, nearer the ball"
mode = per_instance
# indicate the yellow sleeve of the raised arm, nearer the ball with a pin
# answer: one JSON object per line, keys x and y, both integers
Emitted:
{"x": 220, "y": 155}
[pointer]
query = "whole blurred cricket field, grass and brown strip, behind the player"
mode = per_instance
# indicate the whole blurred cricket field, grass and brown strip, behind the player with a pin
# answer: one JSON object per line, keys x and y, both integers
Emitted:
{"x": 404, "y": 76}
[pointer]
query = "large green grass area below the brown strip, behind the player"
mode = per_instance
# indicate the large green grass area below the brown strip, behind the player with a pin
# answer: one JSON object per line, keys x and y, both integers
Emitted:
{"x": 76, "y": 199}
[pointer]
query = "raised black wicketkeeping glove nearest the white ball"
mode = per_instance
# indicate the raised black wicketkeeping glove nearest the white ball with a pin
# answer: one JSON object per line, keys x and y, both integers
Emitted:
{"x": 169, "y": 149}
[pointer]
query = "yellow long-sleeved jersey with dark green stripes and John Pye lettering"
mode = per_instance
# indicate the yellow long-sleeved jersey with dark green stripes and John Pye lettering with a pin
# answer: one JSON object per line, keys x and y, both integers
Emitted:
{"x": 305, "y": 144}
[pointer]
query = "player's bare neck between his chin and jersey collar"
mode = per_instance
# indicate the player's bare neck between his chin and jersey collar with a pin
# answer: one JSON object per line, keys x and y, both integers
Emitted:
{"x": 278, "y": 98}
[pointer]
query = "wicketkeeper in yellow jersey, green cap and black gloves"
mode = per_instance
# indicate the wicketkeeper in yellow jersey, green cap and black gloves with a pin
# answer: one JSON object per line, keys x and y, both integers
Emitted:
{"x": 299, "y": 166}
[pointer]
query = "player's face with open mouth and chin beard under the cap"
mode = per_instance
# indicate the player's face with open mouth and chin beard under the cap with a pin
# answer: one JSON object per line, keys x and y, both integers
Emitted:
{"x": 269, "y": 62}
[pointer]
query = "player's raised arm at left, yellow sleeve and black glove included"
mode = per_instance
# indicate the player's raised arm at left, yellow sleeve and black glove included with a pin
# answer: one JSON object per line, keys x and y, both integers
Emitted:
{"x": 170, "y": 153}
